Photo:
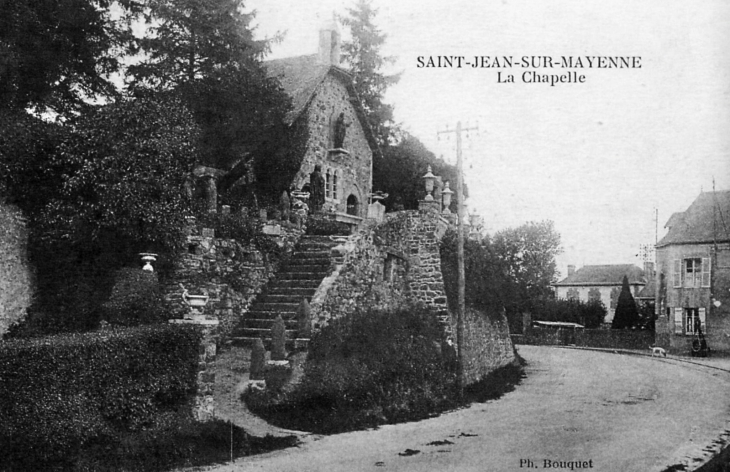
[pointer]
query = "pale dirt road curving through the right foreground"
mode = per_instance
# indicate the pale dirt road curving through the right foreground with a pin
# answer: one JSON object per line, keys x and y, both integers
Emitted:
{"x": 576, "y": 410}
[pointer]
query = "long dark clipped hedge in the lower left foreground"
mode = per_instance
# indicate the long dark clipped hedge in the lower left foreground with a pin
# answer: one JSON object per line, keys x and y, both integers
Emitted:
{"x": 60, "y": 393}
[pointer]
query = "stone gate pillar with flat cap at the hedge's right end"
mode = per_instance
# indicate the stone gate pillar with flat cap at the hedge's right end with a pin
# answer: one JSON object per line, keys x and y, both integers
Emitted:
{"x": 204, "y": 404}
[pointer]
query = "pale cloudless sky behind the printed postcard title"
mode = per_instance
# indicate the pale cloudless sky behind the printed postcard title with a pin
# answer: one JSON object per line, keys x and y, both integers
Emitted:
{"x": 598, "y": 158}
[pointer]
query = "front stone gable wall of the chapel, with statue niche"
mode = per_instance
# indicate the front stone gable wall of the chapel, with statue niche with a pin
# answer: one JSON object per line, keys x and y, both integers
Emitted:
{"x": 353, "y": 167}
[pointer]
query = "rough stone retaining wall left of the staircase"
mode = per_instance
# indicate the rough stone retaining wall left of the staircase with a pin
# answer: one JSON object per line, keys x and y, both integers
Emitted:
{"x": 230, "y": 273}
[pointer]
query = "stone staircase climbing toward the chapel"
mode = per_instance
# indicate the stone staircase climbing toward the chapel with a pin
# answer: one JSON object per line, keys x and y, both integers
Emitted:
{"x": 310, "y": 262}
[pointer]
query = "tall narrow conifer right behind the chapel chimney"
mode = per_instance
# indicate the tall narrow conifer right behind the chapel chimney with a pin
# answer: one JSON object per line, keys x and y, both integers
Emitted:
{"x": 363, "y": 54}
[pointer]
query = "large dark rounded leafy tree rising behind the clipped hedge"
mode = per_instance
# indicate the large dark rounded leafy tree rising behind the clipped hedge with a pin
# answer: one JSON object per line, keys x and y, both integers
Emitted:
{"x": 121, "y": 169}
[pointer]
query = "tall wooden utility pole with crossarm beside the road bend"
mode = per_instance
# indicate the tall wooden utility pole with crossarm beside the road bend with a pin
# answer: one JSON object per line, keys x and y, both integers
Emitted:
{"x": 460, "y": 251}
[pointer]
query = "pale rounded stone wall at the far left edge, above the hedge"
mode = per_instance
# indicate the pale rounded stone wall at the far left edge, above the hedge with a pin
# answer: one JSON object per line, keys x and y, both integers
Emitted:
{"x": 16, "y": 276}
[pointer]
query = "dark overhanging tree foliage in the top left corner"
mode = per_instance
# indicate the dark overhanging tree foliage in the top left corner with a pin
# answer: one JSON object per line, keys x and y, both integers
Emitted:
{"x": 57, "y": 54}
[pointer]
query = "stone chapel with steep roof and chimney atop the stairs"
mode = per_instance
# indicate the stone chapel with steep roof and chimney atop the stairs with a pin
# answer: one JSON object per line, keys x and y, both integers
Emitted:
{"x": 339, "y": 138}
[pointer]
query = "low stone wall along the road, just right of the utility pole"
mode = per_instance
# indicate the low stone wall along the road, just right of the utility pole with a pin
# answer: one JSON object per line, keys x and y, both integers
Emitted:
{"x": 486, "y": 346}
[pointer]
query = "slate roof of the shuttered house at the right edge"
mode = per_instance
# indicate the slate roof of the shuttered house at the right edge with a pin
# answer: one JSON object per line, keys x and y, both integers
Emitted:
{"x": 706, "y": 220}
